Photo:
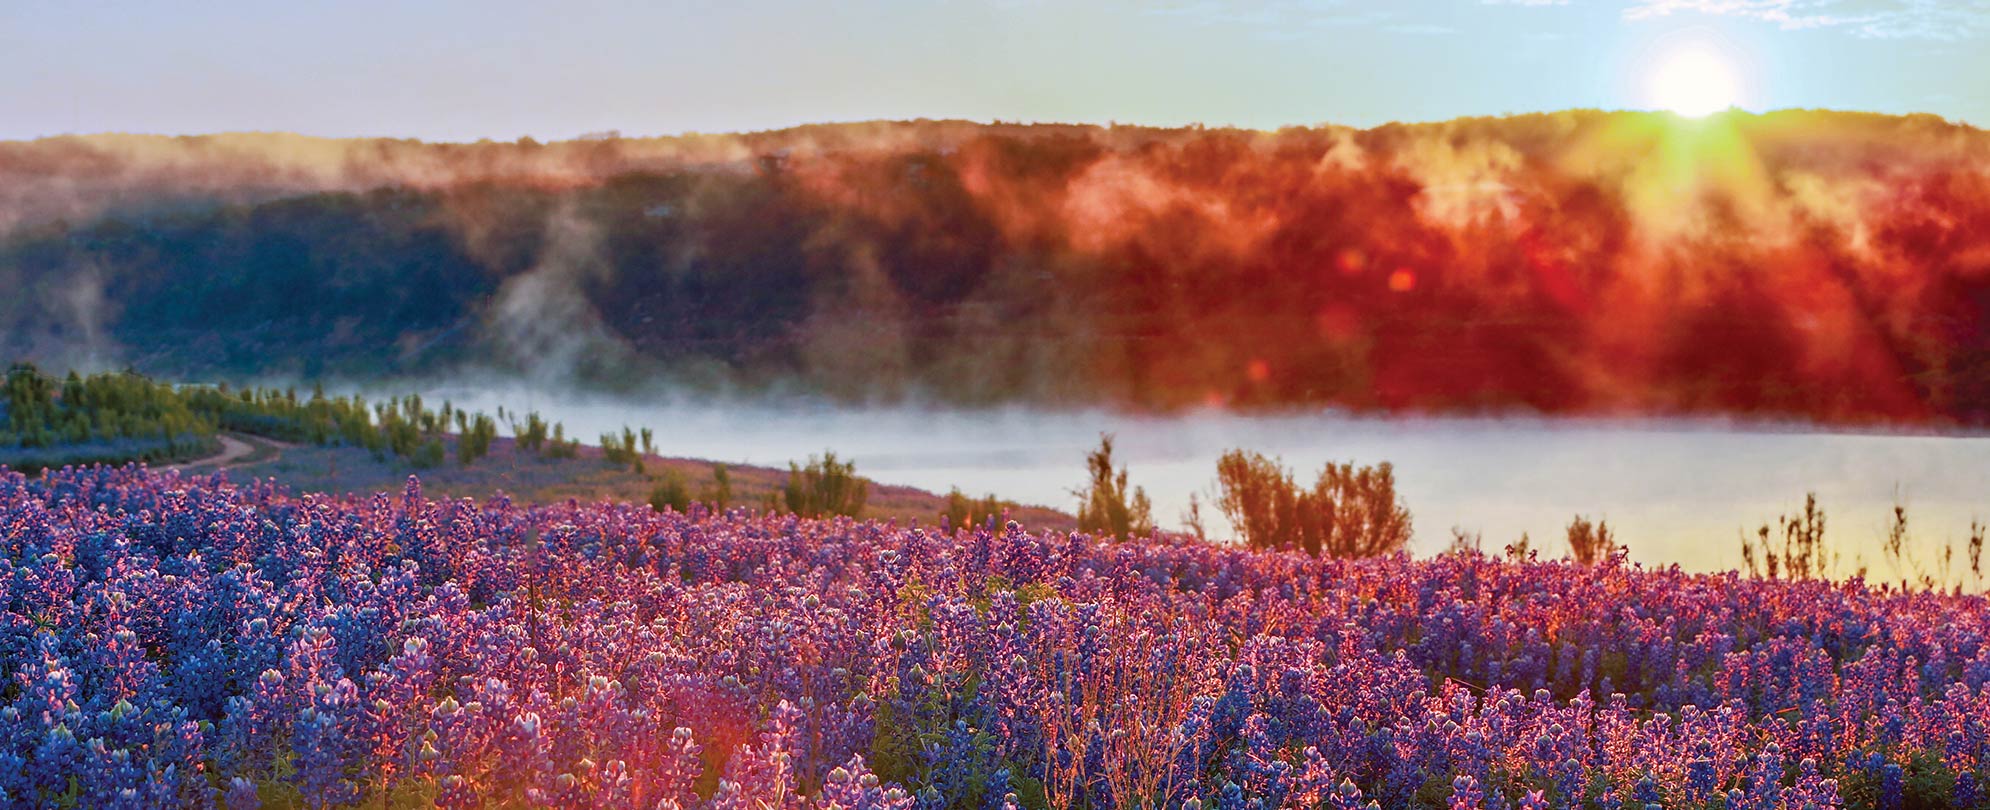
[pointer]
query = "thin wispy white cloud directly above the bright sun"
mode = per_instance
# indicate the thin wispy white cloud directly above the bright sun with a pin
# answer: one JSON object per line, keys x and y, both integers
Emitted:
{"x": 1868, "y": 19}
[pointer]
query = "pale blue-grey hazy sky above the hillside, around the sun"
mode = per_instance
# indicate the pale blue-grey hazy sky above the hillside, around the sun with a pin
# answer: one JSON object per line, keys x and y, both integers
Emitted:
{"x": 508, "y": 69}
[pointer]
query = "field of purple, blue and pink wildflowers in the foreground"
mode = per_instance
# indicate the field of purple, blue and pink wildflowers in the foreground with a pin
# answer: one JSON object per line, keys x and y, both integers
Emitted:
{"x": 186, "y": 642}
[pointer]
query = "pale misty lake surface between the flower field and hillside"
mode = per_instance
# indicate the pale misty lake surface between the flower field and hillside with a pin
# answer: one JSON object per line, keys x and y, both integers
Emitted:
{"x": 1677, "y": 493}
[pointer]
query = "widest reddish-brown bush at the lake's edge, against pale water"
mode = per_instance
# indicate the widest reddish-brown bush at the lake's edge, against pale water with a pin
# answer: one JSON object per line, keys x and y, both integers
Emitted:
{"x": 1350, "y": 512}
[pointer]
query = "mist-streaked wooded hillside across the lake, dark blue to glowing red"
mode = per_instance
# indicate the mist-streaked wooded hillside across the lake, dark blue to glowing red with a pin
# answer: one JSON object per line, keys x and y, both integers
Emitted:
{"x": 1800, "y": 264}
